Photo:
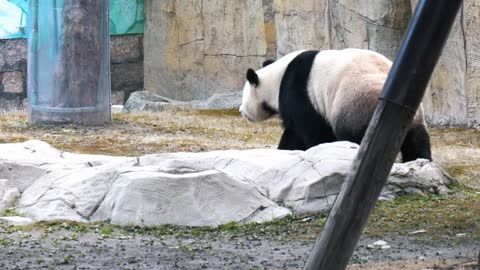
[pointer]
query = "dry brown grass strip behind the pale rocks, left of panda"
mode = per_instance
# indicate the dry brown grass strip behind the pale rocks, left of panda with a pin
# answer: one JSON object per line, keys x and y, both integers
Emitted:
{"x": 145, "y": 133}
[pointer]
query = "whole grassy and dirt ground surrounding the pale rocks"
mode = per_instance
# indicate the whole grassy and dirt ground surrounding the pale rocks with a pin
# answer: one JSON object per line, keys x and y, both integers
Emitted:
{"x": 451, "y": 223}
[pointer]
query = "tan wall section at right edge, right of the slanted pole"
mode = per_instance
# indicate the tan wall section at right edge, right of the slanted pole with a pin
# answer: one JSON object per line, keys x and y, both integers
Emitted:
{"x": 452, "y": 97}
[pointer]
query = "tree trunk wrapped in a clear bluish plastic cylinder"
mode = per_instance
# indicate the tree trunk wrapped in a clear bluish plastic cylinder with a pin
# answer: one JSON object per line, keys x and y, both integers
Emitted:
{"x": 68, "y": 79}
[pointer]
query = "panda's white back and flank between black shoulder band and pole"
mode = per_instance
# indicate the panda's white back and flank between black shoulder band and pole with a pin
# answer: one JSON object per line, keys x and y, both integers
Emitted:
{"x": 345, "y": 78}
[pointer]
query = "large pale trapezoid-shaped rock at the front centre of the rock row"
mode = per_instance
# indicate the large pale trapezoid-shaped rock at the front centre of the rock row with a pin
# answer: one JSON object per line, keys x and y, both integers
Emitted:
{"x": 191, "y": 198}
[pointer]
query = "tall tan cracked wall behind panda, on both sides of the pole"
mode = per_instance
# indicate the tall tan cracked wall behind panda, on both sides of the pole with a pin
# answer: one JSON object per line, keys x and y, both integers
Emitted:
{"x": 196, "y": 48}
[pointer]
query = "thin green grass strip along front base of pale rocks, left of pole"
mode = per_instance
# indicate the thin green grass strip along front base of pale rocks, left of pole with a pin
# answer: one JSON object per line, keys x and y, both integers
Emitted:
{"x": 301, "y": 227}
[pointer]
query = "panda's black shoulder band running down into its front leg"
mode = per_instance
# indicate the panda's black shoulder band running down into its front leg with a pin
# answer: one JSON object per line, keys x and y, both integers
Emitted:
{"x": 304, "y": 126}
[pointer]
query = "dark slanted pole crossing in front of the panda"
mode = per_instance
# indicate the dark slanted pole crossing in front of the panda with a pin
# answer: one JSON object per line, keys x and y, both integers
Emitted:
{"x": 402, "y": 93}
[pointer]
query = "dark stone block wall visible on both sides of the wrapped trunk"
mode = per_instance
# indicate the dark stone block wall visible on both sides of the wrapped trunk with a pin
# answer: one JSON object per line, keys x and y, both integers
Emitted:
{"x": 126, "y": 59}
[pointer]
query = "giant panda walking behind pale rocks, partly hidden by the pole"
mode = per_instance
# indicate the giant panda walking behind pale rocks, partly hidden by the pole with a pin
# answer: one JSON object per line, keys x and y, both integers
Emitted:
{"x": 325, "y": 96}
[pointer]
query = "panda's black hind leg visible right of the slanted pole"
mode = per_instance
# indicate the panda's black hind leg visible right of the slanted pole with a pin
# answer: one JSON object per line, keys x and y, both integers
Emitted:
{"x": 416, "y": 144}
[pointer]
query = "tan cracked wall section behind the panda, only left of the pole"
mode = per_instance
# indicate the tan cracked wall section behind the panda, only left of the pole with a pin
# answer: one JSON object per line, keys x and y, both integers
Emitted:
{"x": 196, "y": 48}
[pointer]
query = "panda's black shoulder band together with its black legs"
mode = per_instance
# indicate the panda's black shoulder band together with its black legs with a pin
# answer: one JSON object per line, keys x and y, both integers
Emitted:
{"x": 305, "y": 127}
